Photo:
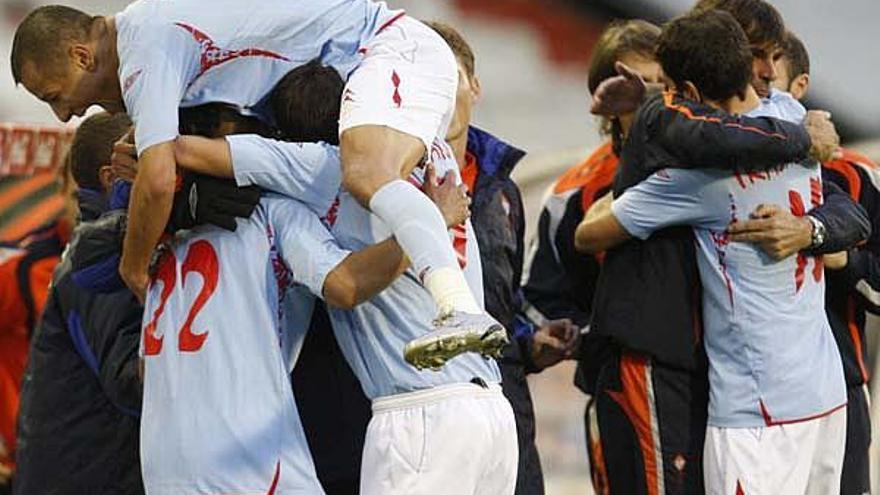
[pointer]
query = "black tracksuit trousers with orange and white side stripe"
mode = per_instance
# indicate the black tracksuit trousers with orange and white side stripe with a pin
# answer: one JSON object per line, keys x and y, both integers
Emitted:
{"x": 645, "y": 428}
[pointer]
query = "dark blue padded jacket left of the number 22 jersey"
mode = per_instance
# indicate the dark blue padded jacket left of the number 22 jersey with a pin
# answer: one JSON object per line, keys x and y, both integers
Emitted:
{"x": 81, "y": 396}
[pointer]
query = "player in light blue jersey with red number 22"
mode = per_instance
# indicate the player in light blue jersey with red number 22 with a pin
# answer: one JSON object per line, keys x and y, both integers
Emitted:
{"x": 224, "y": 318}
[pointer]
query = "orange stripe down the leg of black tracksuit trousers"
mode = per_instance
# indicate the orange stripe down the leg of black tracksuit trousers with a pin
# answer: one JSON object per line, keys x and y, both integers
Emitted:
{"x": 636, "y": 398}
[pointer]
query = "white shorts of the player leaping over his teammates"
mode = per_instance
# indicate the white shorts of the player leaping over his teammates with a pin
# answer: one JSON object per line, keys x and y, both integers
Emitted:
{"x": 407, "y": 81}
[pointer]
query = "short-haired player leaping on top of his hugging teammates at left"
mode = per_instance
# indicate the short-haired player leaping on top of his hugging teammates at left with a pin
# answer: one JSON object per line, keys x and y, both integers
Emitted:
{"x": 156, "y": 56}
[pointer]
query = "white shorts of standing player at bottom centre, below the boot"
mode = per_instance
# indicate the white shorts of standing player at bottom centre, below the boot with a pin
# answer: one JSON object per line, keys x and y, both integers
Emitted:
{"x": 456, "y": 439}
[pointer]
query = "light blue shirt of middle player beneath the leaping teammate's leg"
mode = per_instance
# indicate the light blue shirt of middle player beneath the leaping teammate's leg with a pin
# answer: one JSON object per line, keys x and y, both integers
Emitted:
{"x": 373, "y": 335}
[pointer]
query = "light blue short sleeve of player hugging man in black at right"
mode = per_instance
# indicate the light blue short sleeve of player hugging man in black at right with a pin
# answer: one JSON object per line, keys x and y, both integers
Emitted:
{"x": 669, "y": 197}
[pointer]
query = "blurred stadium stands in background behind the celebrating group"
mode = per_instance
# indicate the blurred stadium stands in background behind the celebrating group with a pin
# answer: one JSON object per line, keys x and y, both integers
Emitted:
{"x": 531, "y": 58}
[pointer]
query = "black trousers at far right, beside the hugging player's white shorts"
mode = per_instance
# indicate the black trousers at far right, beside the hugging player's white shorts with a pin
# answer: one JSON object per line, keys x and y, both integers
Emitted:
{"x": 856, "y": 464}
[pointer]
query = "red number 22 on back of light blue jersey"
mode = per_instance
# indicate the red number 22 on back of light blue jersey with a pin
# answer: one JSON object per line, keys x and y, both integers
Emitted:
{"x": 200, "y": 258}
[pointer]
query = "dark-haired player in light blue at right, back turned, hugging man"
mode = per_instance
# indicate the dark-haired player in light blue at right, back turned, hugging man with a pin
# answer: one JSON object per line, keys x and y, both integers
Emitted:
{"x": 776, "y": 422}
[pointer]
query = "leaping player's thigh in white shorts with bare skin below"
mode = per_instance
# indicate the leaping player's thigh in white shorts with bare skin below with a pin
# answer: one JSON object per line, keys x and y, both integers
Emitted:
{"x": 400, "y": 98}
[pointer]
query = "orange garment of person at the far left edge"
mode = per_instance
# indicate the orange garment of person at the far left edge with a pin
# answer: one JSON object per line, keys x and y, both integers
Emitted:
{"x": 25, "y": 272}
